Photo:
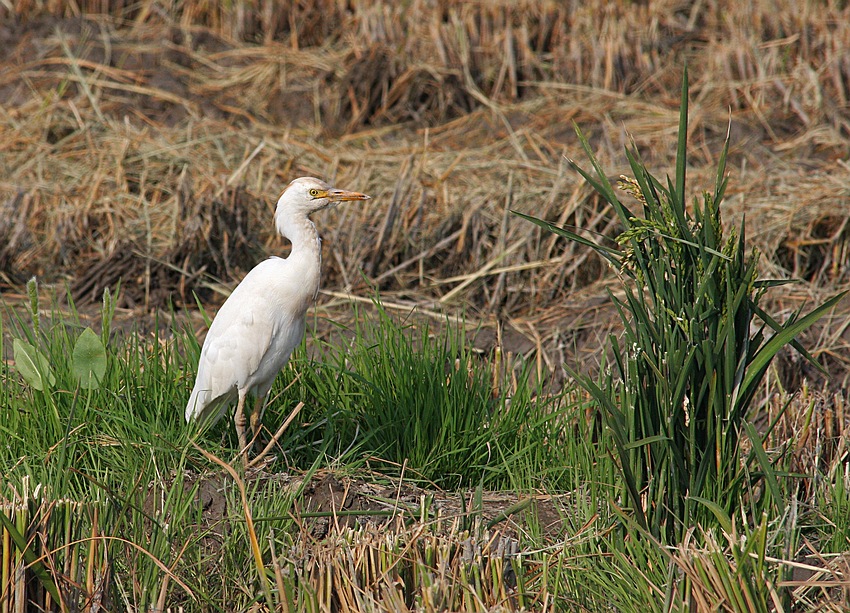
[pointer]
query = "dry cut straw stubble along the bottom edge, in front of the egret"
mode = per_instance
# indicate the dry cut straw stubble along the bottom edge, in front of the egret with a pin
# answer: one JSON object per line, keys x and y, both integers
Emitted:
{"x": 426, "y": 556}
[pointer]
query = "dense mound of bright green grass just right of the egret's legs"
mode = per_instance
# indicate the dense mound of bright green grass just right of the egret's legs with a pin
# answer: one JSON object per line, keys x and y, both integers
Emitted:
{"x": 404, "y": 393}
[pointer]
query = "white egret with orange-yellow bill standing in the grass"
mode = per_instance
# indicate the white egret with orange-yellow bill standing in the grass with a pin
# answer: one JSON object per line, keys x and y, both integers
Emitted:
{"x": 263, "y": 320}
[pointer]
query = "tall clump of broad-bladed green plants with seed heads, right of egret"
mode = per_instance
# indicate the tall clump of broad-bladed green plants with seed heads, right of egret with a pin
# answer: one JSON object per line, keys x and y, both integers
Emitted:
{"x": 679, "y": 399}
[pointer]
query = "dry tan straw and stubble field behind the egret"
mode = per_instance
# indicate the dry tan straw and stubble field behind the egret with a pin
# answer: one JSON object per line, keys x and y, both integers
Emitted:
{"x": 140, "y": 129}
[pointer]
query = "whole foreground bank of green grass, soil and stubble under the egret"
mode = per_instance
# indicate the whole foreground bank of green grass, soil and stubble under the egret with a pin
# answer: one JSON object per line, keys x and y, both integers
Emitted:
{"x": 117, "y": 505}
